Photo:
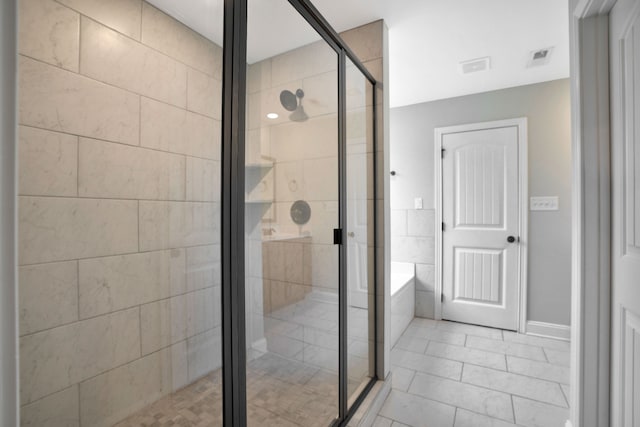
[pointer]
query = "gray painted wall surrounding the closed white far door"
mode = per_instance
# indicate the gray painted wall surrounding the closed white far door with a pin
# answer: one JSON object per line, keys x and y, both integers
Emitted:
{"x": 547, "y": 108}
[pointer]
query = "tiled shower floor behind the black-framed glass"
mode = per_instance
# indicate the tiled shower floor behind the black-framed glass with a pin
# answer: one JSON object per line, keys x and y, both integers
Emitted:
{"x": 293, "y": 384}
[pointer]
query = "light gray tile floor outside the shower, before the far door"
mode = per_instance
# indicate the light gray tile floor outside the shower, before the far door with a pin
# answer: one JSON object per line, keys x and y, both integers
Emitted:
{"x": 448, "y": 374}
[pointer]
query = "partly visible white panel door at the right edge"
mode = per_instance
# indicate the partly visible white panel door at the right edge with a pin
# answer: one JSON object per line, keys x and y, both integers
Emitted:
{"x": 625, "y": 212}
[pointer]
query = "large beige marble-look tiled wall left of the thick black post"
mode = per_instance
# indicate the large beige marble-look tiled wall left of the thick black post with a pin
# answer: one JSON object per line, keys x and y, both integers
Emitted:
{"x": 119, "y": 144}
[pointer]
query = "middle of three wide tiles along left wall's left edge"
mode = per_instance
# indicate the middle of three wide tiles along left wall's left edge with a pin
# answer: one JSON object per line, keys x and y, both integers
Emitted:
{"x": 53, "y": 229}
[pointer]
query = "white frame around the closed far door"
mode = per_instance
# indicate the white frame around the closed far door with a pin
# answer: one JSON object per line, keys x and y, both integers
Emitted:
{"x": 523, "y": 211}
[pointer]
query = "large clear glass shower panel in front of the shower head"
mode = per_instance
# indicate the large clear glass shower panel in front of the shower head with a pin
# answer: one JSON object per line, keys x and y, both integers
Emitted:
{"x": 291, "y": 210}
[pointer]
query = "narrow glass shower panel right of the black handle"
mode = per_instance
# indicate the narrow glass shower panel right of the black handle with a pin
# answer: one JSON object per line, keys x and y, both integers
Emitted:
{"x": 360, "y": 230}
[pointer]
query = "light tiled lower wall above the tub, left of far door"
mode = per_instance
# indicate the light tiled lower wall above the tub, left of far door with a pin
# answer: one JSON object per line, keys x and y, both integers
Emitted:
{"x": 412, "y": 240}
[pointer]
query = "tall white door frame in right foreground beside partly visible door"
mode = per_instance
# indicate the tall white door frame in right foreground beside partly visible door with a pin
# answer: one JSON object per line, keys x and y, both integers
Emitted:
{"x": 591, "y": 206}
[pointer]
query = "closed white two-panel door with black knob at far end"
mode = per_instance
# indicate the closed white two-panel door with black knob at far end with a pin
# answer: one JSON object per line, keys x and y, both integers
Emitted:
{"x": 480, "y": 212}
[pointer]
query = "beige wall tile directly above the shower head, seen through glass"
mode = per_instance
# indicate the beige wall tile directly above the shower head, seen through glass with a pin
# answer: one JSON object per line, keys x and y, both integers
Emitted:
{"x": 309, "y": 60}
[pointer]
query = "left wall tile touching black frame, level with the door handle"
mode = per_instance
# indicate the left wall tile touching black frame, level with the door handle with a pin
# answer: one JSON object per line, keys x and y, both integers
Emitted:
{"x": 178, "y": 224}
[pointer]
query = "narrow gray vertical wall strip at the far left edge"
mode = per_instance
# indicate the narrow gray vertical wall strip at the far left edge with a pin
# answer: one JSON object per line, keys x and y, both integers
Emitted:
{"x": 8, "y": 328}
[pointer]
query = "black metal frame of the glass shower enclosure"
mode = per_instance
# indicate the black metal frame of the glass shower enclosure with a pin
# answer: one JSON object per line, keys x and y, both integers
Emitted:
{"x": 234, "y": 93}
